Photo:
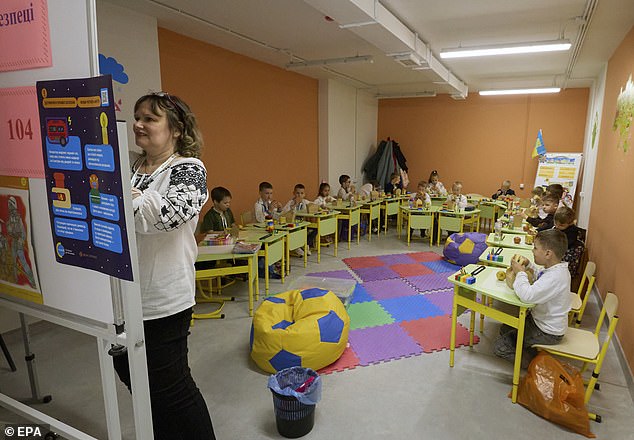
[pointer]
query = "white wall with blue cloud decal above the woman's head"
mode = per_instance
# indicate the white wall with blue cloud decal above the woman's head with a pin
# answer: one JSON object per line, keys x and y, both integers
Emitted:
{"x": 132, "y": 39}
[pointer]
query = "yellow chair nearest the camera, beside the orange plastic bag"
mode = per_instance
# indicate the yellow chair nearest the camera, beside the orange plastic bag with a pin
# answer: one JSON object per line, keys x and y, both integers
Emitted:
{"x": 585, "y": 346}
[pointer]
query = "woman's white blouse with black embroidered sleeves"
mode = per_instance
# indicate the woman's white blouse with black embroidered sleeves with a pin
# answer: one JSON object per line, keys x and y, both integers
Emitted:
{"x": 165, "y": 218}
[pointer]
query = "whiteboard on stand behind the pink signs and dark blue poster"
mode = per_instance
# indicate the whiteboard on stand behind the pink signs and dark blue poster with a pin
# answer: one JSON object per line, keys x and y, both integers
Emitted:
{"x": 65, "y": 288}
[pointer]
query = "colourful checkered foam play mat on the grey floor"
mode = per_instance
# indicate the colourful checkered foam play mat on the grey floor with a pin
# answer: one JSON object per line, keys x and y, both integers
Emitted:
{"x": 401, "y": 307}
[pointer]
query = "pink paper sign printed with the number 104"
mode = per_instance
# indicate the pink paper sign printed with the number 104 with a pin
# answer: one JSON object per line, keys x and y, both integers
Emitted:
{"x": 20, "y": 139}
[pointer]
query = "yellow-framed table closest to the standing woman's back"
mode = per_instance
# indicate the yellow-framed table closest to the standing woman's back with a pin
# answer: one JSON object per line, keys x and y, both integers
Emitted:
{"x": 251, "y": 269}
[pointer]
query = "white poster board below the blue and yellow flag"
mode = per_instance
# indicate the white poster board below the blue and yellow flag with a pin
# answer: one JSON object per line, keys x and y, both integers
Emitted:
{"x": 562, "y": 168}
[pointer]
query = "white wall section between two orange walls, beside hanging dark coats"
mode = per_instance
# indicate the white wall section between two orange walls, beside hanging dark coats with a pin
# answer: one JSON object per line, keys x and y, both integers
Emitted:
{"x": 347, "y": 130}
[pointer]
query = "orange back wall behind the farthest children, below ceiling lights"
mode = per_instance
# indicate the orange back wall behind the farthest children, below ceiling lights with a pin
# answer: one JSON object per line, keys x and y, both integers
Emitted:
{"x": 483, "y": 140}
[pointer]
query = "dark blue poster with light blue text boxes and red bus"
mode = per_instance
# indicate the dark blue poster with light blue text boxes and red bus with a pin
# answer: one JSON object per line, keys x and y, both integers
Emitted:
{"x": 83, "y": 174}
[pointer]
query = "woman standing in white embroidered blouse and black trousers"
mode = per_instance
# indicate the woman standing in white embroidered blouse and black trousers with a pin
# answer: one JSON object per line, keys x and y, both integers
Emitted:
{"x": 168, "y": 190}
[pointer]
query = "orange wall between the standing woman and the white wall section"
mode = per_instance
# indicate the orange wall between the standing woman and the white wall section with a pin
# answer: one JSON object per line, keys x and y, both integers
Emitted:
{"x": 259, "y": 122}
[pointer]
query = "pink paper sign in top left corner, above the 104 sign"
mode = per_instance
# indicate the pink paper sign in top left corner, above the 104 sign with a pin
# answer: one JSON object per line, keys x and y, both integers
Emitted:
{"x": 24, "y": 35}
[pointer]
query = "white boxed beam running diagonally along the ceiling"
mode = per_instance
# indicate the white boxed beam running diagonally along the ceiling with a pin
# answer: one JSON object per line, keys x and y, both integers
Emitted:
{"x": 390, "y": 35}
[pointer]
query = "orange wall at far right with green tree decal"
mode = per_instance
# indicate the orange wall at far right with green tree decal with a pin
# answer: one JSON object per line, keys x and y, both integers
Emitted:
{"x": 611, "y": 232}
